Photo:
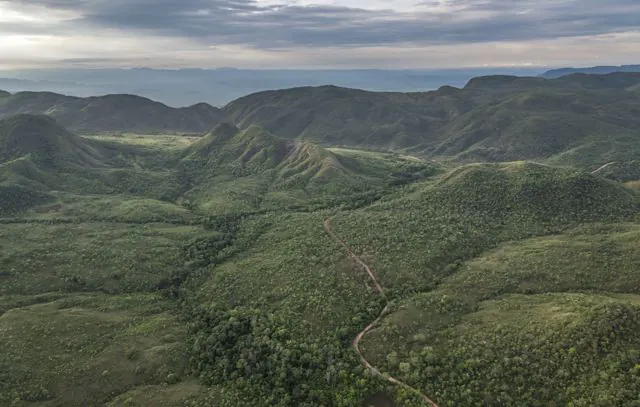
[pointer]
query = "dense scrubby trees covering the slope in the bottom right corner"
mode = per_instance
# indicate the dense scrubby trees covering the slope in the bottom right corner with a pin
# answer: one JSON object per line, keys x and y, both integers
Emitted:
{"x": 593, "y": 362}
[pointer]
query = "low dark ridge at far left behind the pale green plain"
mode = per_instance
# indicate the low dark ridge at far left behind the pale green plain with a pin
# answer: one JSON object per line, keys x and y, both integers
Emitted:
{"x": 112, "y": 113}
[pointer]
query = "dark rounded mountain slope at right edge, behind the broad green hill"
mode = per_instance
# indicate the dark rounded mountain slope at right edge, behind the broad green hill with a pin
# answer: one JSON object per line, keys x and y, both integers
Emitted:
{"x": 583, "y": 127}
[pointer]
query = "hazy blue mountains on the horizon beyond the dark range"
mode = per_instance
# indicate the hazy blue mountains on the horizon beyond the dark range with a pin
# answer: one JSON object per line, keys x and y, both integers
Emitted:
{"x": 184, "y": 87}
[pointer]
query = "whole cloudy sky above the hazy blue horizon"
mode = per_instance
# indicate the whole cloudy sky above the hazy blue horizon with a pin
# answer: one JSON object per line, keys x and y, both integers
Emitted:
{"x": 342, "y": 34}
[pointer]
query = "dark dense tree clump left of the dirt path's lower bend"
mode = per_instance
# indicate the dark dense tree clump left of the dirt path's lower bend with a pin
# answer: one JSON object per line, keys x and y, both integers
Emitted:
{"x": 253, "y": 350}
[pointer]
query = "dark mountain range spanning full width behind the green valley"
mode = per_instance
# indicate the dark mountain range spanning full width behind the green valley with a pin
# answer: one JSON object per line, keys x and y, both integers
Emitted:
{"x": 582, "y": 120}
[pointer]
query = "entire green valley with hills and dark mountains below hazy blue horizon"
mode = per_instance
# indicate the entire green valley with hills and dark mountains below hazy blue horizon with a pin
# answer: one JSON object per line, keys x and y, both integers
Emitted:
{"x": 324, "y": 247}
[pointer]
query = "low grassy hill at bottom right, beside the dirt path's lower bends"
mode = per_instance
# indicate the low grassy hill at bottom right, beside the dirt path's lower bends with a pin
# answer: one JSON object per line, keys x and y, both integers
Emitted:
{"x": 548, "y": 320}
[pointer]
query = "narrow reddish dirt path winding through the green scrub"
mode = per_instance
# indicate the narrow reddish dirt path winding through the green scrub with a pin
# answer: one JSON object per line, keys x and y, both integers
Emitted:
{"x": 358, "y": 338}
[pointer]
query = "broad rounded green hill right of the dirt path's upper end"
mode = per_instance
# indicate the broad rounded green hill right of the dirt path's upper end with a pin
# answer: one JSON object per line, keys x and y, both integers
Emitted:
{"x": 474, "y": 208}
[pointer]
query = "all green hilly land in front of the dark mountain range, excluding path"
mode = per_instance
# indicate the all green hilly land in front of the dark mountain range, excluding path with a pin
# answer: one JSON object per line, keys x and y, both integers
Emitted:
{"x": 197, "y": 273}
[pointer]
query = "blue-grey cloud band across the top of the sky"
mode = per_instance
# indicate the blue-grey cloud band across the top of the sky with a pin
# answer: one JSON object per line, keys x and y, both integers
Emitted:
{"x": 247, "y": 22}
